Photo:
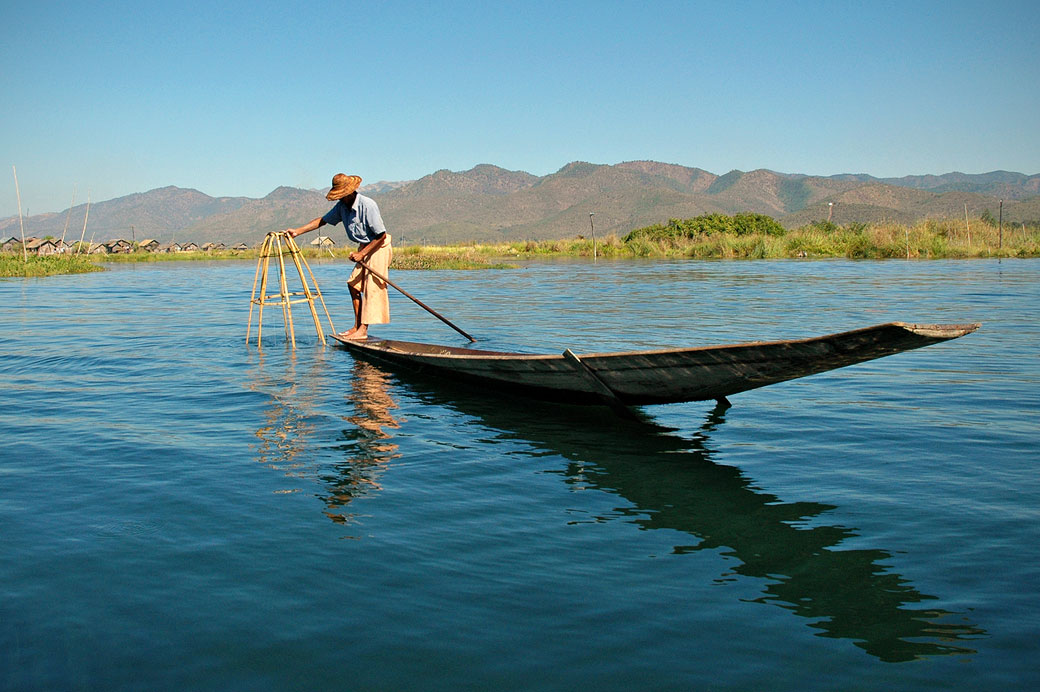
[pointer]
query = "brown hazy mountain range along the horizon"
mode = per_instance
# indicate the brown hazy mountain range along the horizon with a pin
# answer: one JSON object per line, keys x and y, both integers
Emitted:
{"x": 489, "y": 204}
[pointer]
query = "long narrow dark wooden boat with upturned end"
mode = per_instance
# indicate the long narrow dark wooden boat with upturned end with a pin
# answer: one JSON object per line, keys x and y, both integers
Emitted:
{"x": 657, "y": 377}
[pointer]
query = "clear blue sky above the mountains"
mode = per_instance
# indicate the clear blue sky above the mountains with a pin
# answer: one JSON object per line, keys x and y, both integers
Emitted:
{"x": 238, "y": 98}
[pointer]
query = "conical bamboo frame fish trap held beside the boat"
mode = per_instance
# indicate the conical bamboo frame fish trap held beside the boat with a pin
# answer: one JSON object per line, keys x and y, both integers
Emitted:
{"x": 273, "y": 247}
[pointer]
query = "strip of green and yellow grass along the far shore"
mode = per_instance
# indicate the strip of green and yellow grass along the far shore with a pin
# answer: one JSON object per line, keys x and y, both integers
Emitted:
{"x": 929, "y": 240}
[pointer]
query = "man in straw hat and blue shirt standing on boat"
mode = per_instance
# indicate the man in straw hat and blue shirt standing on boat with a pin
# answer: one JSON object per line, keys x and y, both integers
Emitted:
{"x": 360, "y": 217}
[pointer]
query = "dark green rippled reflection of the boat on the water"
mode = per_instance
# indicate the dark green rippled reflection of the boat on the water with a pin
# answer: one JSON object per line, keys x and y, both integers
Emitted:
{"x": 667, "y": 480}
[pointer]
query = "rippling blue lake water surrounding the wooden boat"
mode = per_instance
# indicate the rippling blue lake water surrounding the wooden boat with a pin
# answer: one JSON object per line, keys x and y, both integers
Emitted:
{"x": 179, "y": 510}
